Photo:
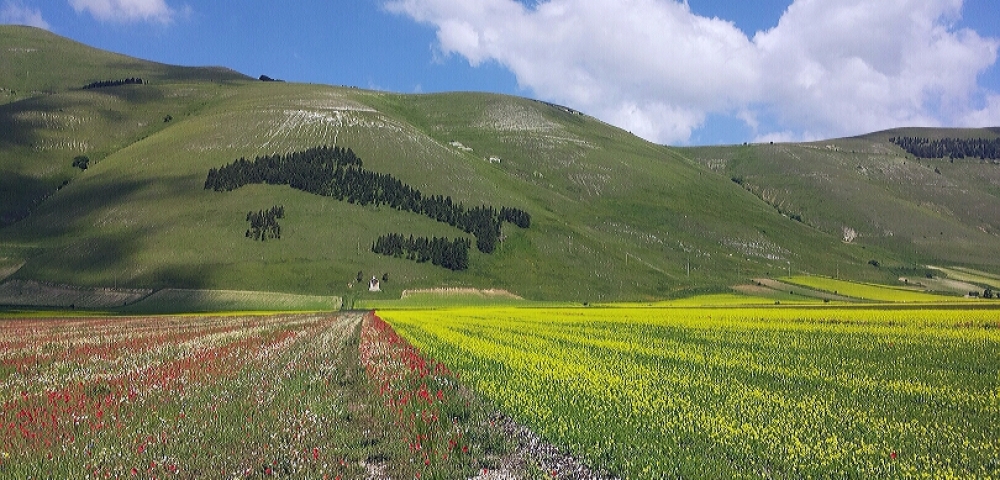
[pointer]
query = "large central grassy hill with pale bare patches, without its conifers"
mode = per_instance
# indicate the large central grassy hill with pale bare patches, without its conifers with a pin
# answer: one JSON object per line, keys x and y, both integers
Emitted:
{"x": 614, "y": 217}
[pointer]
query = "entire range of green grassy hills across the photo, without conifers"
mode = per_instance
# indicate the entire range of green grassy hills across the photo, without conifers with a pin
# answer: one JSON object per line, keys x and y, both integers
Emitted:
{"x": 613, "y": 217}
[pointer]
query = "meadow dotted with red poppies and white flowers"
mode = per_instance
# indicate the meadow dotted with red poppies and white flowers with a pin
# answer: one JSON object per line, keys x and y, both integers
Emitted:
{"x": 322, "y": 396}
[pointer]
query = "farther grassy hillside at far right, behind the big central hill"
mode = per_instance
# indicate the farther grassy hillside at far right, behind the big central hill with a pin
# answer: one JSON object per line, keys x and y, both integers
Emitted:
{"x": 922, "y": 210}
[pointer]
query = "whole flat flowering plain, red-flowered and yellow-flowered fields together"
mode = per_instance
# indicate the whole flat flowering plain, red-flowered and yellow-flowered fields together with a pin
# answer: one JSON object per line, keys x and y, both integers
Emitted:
{"x": 671, "y": 389}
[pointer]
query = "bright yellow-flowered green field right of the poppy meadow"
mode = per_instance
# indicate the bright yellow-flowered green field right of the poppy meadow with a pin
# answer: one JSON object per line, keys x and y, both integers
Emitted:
{"x": 781, "y": 392}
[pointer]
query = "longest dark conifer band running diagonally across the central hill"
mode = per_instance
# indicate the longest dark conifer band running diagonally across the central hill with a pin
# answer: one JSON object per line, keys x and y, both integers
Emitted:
{"x": 337, "y": 172}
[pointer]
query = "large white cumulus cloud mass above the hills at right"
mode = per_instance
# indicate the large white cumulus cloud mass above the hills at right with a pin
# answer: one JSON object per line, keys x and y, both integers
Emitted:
{"x": 656, "y": 68}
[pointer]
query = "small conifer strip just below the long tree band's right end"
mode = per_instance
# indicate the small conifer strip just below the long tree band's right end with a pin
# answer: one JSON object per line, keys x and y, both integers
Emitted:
{"x": 450, "y": 254}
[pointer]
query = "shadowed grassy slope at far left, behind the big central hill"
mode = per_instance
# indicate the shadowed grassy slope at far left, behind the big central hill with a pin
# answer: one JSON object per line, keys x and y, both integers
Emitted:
{"x": 47, "y": 120}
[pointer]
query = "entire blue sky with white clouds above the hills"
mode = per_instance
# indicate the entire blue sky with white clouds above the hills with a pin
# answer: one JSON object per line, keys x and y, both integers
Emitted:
{"x": 695, "y": 72}
